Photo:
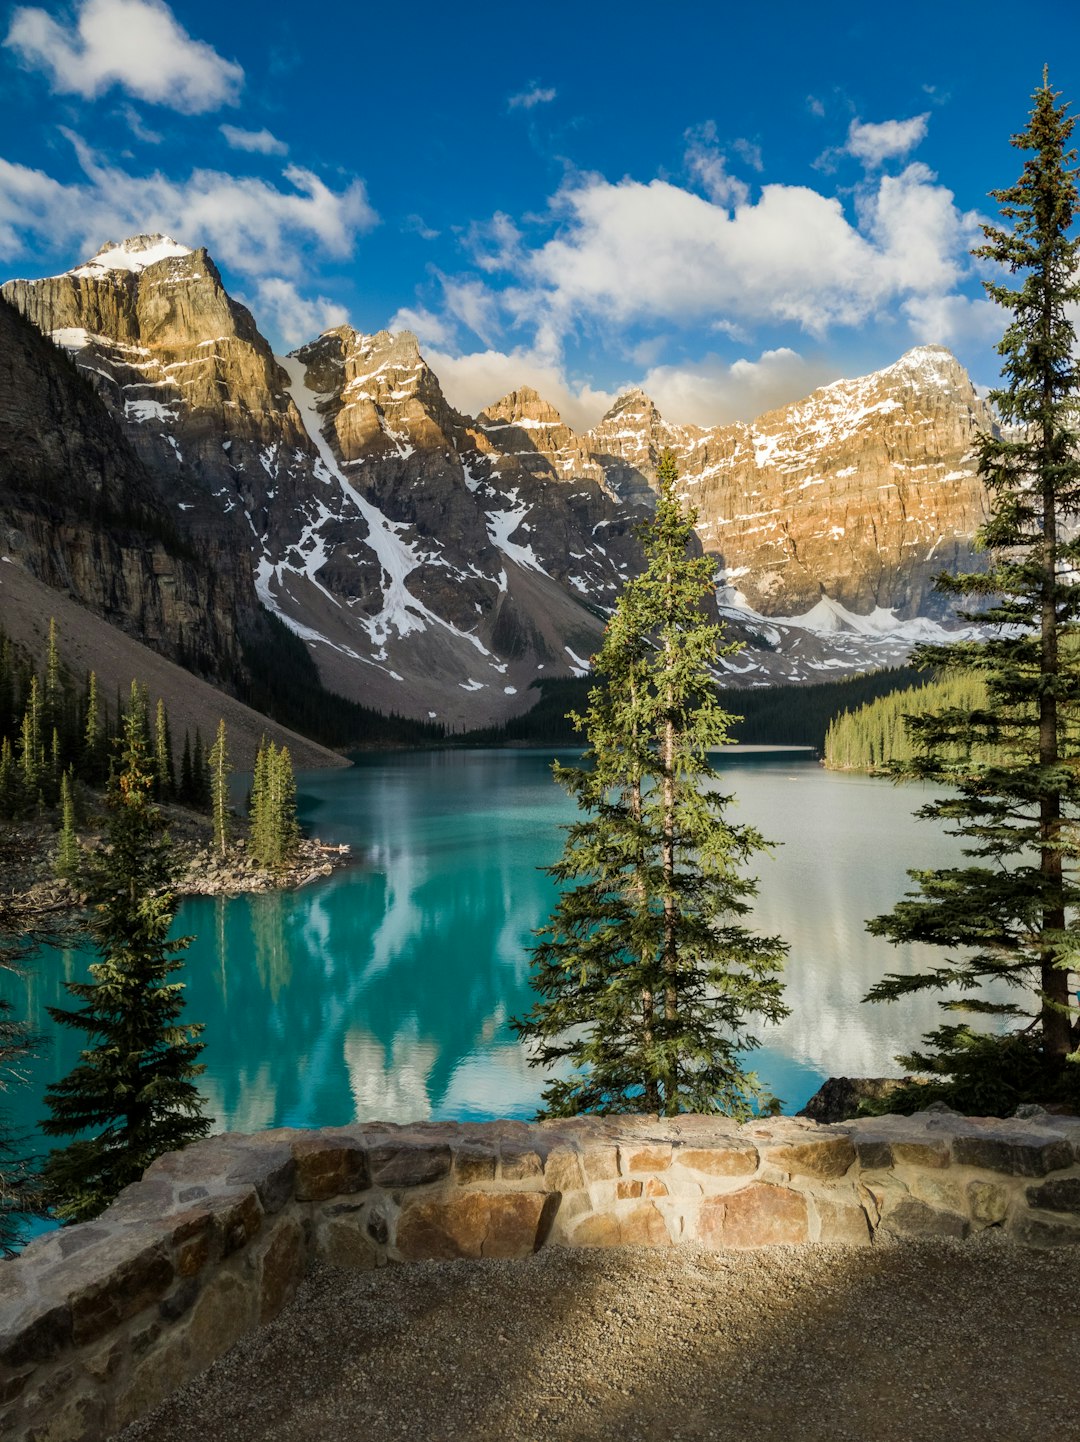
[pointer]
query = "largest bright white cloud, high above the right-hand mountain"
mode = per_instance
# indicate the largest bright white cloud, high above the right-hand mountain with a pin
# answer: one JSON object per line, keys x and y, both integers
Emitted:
{"x": 631, "y": 253}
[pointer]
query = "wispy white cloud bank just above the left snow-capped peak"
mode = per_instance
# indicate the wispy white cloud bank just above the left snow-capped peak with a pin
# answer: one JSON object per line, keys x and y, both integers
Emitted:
{"x": 252, "y": 226}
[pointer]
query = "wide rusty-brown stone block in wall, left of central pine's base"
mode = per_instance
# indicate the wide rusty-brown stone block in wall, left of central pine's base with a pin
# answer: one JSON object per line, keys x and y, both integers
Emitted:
{"x": 477, "y": 1225}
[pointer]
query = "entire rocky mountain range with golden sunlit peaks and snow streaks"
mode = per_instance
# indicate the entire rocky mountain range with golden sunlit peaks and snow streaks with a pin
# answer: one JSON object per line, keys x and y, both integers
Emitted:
{"x": 436, "y": 565}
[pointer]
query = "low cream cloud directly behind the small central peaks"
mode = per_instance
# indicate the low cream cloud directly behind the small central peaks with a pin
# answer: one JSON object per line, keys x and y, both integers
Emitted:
{"x": 477, "y": 381}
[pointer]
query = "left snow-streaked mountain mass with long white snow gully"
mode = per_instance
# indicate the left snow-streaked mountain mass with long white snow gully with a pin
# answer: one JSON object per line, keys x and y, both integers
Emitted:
{"x": 430, "y": 570}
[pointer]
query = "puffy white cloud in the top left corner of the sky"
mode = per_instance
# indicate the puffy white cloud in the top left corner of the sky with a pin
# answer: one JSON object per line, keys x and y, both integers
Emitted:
{"x": 133, "y": 44}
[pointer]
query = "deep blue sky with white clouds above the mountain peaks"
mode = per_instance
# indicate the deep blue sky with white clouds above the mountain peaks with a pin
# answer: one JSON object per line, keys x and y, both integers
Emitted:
{"x": 725, "y": 204}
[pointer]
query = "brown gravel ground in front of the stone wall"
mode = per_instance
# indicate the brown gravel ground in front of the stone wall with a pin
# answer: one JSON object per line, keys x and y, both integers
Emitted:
{"x": 911, "y": 1342}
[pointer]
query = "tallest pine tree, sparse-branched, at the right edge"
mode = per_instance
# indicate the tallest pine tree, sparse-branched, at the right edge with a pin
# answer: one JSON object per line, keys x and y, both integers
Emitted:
{"x": 1012, "y": 914}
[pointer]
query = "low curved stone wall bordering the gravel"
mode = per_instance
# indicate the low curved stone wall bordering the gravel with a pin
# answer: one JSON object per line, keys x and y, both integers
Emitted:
{"x": 102, "y": 1322}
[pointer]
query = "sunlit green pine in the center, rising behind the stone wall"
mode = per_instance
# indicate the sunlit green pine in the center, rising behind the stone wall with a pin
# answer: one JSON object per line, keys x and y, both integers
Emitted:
{"x": 648, "y": 980}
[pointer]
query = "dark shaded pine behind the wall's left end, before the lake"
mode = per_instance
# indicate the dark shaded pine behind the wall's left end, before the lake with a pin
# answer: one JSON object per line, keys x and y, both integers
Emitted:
{"x": 135, "y": 1087}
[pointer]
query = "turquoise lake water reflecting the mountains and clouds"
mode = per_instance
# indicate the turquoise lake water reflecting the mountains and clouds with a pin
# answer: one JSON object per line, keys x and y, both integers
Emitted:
{"x": 386, "y": 991}
